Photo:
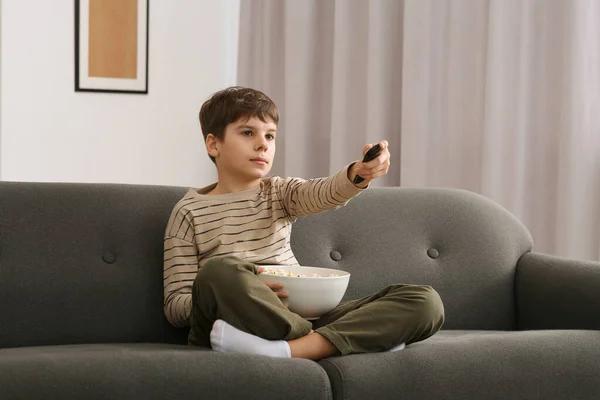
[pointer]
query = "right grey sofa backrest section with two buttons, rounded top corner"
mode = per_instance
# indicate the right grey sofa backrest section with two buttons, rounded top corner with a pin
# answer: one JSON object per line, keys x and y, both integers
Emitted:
{"x": 462, "y": 244}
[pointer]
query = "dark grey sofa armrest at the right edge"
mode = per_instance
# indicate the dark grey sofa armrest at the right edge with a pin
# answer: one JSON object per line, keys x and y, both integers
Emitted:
{"x": 557, "y": 293}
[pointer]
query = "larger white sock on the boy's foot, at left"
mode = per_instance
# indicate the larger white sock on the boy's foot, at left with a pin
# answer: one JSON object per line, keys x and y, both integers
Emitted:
{"x": 228, "y": 339}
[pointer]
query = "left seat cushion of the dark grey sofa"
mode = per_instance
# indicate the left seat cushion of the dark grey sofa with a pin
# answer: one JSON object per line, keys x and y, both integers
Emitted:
{"x": 153, "y": 371}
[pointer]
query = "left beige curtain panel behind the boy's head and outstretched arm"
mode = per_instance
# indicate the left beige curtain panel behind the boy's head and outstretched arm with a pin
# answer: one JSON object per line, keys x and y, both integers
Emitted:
{"x": 334, "y": 68}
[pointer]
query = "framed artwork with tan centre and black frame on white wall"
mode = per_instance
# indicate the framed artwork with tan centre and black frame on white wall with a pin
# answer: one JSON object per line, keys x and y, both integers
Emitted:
{"x": 111, "y": 46}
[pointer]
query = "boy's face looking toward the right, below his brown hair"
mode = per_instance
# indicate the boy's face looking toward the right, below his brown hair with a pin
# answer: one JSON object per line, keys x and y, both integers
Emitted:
{"x": 247, "y": 150}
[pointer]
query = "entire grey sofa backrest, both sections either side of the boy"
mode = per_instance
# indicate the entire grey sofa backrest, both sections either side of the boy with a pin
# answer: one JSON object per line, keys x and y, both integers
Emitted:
{"x": 82, "y": 263}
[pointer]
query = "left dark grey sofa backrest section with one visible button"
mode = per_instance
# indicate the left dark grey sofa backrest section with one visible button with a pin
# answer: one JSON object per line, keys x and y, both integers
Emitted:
{"x": 82, "y": 263}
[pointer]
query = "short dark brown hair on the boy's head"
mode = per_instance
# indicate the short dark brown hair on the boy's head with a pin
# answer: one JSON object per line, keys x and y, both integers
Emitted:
{"x": 229, "y": 105}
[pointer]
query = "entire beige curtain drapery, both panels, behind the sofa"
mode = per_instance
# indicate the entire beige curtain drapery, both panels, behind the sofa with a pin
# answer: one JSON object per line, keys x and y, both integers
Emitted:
{"x": 500, "y": 97}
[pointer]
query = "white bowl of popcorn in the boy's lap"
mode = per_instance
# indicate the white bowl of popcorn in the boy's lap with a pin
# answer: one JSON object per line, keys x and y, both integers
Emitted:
{"x": 312, "y": 291}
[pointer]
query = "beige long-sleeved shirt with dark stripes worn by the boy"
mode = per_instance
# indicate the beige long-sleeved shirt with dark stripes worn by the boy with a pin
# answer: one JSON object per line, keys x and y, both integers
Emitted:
{"x": 254, "y": 225}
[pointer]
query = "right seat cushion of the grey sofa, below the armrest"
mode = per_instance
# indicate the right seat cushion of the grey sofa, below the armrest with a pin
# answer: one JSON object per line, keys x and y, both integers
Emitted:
{"x": 553, "y": 364}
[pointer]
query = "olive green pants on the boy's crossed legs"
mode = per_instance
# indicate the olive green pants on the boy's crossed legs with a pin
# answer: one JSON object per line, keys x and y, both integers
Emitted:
{"x": 228, "y": 288}
